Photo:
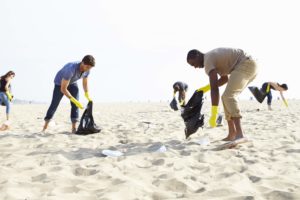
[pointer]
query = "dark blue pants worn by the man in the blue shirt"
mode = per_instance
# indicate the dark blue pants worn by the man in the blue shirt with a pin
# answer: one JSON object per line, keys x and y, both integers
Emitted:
{"x": 57, "y": 96}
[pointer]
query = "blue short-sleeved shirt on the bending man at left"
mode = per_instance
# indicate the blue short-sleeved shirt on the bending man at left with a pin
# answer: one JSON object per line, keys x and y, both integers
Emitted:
{"x": 71, "y": 72}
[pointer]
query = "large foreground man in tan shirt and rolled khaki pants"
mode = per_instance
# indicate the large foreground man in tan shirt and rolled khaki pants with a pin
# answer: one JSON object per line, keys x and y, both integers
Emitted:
{"x": 235, "y": 68}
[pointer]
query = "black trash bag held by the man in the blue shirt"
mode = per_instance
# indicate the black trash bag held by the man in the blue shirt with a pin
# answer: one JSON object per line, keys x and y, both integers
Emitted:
{"x": 87, "y": 125}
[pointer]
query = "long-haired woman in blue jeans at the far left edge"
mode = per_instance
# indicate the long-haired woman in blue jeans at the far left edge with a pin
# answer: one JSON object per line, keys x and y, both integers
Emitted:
{"x": 5, "y": 95}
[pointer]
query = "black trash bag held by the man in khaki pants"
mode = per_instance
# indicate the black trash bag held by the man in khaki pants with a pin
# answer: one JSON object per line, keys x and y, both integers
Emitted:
{"x": 191, "y": 114}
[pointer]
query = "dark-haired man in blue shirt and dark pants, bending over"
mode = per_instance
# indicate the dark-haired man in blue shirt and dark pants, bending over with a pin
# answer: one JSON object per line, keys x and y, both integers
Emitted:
{"x": 66, "y": 84}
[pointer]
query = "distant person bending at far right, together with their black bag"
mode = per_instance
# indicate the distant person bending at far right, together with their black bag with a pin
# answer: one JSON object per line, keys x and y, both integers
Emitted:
{"x": 265, "y": 91}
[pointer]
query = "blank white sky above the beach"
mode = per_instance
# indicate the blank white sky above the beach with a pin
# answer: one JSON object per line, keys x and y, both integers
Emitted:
{"x": 140, "y": 46}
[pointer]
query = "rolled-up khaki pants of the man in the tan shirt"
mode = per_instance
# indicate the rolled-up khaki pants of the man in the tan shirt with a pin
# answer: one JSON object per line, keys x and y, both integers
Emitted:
{"x": 239, "y": 78}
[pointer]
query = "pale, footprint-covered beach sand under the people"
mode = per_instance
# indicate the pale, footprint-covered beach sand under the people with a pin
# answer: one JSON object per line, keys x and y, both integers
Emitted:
{"x": 59, "y": 165}
